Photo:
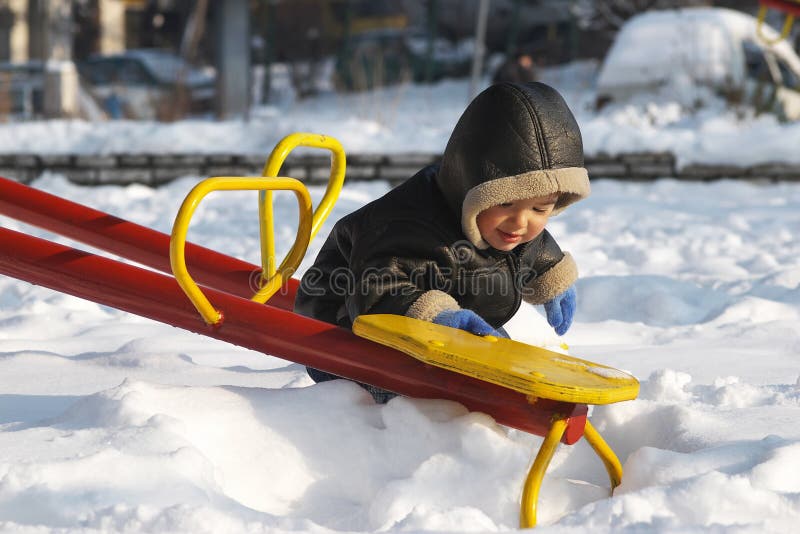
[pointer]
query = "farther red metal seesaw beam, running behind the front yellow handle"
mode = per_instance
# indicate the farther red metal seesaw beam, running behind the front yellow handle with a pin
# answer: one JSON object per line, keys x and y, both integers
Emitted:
{"x": 132, "y": 241}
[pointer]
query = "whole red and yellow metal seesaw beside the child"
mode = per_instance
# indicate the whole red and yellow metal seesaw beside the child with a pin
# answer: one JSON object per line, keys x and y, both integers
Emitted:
{"x": 529, "y": 388}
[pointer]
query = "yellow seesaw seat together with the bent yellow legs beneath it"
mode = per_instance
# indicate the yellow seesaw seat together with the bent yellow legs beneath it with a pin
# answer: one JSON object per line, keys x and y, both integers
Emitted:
{"x": 537, "y": 372}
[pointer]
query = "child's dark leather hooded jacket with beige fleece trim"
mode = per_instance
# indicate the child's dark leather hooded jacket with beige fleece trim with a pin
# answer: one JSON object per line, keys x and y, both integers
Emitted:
{"x": 417, "y": 251}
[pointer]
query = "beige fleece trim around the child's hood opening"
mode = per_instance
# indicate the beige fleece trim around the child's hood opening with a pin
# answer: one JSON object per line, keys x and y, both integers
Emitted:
{"x": 572, "y": 184}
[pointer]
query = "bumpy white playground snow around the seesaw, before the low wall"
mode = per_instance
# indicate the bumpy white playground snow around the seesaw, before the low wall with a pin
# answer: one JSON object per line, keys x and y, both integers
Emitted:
{"x": 110, "y": 422}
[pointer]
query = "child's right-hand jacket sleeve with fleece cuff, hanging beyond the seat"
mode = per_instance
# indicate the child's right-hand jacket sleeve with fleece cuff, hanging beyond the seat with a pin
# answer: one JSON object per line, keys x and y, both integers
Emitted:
{"x": 547, "y": 270}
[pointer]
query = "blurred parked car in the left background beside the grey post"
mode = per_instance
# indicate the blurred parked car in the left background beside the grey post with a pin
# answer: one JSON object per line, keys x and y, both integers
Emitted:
{"x": 148, "y": 84}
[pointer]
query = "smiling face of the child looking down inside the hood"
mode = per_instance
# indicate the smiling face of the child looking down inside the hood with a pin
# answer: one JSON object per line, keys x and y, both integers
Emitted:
{"x": 513, "y": 223}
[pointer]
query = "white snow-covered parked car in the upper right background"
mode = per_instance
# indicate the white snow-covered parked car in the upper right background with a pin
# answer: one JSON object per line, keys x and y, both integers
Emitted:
{"x": 687, "y": 53}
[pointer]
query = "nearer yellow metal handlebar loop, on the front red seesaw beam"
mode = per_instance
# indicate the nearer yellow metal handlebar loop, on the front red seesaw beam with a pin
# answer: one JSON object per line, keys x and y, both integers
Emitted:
{"x": 177, "y": 244}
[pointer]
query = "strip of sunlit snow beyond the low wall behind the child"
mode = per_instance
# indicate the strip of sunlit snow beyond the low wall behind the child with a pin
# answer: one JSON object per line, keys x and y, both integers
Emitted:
{"x": 419, "y": 118}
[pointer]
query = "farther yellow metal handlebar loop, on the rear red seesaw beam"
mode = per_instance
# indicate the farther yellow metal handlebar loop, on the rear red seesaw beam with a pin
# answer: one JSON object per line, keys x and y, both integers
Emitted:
{"x": 273, "y": 166}
